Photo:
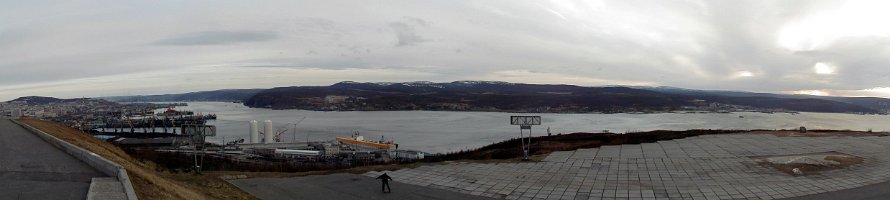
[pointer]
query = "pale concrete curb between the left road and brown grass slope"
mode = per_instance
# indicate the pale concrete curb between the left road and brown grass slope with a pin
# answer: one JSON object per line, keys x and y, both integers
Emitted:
{"x": 105, "y": 166}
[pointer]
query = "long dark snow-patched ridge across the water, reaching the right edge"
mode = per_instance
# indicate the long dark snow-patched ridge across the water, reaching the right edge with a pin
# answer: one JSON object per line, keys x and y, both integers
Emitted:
{"x": 517, "y": 97}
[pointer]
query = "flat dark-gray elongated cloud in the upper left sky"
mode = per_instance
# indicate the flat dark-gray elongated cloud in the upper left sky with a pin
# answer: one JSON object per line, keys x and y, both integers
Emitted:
{"x": 217, "y": 38}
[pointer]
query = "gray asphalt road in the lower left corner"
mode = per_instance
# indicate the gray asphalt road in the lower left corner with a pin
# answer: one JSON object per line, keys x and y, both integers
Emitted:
{"x": 31, "y": 168}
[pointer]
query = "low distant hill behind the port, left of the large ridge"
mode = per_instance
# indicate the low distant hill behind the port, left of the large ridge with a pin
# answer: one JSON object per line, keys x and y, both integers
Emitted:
{"x": 230, "y": 95}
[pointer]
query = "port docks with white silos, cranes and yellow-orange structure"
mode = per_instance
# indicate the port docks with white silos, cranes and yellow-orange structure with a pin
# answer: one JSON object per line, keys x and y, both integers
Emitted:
{"x": 262, "y": 144}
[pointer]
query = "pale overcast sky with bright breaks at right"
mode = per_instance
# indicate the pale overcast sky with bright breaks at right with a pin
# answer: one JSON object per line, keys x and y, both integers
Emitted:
{"x": 99, "y": 48}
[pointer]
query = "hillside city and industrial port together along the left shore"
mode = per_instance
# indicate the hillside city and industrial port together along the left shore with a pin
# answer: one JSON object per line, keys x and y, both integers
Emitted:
{"x": 161, "y": 128}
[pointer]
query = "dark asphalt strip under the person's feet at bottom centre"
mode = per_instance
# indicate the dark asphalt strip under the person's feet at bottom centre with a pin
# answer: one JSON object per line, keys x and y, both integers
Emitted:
{"x": 340, "y": 186}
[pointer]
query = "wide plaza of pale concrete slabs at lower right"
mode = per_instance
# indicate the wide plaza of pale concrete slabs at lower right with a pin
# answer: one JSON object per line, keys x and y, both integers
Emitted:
{"x": 702, "y": 167}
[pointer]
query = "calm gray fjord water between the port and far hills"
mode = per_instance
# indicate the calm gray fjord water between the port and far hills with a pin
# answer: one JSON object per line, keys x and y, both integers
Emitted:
{"x": 442, "y": 131}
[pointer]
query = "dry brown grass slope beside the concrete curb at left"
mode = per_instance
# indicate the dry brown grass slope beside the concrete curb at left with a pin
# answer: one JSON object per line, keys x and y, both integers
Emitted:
{"x": 148, "y": 180}
